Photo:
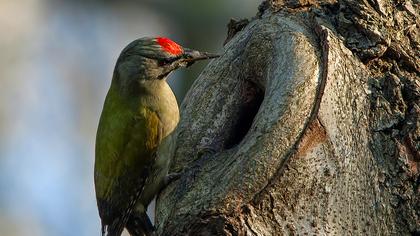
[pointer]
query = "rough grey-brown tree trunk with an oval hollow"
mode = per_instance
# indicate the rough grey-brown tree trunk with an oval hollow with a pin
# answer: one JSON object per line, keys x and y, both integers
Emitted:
{"x": 307, "y": 124}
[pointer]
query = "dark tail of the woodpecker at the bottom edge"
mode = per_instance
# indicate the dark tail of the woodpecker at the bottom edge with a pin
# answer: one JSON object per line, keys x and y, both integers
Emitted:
{"x": 139, "y": 224}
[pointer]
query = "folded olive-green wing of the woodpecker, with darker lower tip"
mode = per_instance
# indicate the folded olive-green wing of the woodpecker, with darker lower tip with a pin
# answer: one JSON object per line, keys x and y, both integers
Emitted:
{"x": 126, "y": 144}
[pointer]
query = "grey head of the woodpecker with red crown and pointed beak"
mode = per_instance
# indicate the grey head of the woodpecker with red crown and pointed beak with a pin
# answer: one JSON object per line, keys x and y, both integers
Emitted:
{"x": 154, "y": 58}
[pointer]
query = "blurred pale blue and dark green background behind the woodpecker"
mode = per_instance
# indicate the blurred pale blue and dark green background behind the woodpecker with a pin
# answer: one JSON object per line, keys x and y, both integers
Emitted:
{"x": 56, "y": 62}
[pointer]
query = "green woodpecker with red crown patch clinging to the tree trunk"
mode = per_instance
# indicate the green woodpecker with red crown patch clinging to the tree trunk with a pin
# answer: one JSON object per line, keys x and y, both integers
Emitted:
{"x": 139, "y": 112}
